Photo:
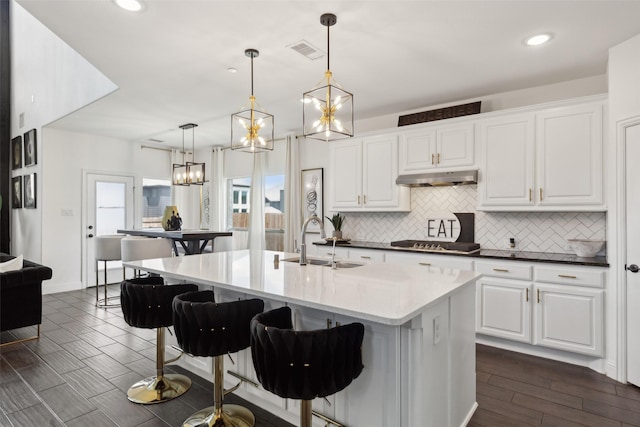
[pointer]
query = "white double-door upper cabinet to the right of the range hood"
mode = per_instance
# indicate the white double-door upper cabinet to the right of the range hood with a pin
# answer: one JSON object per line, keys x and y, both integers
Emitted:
{"x": 549, "y": 160}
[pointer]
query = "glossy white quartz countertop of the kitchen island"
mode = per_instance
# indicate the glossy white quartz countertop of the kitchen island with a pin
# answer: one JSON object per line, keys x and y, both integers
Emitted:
{"x": 380, "y": 292}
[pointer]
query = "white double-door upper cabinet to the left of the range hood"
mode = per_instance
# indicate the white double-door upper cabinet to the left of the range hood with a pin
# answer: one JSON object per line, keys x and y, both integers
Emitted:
{"x": 364, "y": 173}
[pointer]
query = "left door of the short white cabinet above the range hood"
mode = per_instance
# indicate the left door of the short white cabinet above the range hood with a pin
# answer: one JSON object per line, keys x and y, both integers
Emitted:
{"x": 417, "y": 150}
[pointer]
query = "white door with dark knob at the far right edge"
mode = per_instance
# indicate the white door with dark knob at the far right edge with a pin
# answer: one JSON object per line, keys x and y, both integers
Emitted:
{"x": 632, "y": 154}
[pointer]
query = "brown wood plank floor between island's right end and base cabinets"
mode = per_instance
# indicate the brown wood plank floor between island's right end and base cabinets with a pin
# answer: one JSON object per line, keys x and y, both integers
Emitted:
{"x": 517, "y": 390}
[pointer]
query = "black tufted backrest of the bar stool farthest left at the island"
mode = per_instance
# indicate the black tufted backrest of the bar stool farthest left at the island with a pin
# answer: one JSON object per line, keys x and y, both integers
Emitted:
{"x": 146, "y": 302}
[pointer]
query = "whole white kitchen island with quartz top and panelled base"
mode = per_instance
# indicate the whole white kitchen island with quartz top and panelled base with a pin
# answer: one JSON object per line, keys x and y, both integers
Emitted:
{"x": 419, "y": 345}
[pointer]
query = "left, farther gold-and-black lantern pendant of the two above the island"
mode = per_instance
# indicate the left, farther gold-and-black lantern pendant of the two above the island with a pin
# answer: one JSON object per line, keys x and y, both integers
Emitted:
{"x": 252, "y": 127}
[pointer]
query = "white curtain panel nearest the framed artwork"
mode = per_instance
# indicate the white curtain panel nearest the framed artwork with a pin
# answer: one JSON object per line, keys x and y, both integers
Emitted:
{"x": 292, "y": 221}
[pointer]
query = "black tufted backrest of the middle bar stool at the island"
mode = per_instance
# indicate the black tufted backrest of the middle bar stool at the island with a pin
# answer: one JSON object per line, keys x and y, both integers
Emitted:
{"x": 206, "y": 328}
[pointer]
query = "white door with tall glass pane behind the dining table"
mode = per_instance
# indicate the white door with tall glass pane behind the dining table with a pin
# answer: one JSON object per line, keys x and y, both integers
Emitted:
{"x": 109, "y": 207}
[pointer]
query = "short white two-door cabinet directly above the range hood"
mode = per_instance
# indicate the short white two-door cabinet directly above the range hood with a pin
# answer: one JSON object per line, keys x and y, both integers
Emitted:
{"x": 436, "y": 147}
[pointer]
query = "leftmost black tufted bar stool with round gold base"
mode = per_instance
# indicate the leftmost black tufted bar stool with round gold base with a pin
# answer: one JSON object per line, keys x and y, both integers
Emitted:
{"x": 146, "y": 303}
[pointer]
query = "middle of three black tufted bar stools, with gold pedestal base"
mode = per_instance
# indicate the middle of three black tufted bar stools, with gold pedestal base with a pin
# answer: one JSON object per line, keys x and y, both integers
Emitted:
{"x": 206, "y": 328}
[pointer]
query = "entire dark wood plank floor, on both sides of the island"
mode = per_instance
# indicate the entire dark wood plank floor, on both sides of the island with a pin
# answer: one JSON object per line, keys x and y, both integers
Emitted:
{"x": 78, "y": 372}
